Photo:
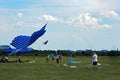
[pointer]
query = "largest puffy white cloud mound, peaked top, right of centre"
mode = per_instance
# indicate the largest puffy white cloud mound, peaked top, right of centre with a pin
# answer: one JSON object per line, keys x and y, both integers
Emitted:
{"x": 85, "y": 20}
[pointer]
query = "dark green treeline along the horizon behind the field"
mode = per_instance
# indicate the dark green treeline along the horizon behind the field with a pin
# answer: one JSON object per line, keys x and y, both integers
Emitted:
{"x": 43, "y": 53}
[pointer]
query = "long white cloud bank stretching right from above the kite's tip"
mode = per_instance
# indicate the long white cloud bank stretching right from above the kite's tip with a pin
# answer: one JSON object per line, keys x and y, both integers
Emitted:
{"x": 83, "y": 21}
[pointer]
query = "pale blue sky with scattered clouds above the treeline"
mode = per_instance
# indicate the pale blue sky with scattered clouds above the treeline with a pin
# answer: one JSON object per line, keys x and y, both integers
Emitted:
{"x": 72, "y": 24}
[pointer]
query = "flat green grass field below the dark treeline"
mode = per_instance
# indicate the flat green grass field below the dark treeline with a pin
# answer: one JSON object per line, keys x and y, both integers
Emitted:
{"x": 41, "y": 70}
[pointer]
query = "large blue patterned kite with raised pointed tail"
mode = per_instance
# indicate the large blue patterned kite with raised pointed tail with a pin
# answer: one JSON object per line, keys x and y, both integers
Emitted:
{"x": 22, "y": 42}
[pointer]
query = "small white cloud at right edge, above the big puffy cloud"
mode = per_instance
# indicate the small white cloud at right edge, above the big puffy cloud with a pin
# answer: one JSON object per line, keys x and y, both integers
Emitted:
{"x": 110, "y": 14}
